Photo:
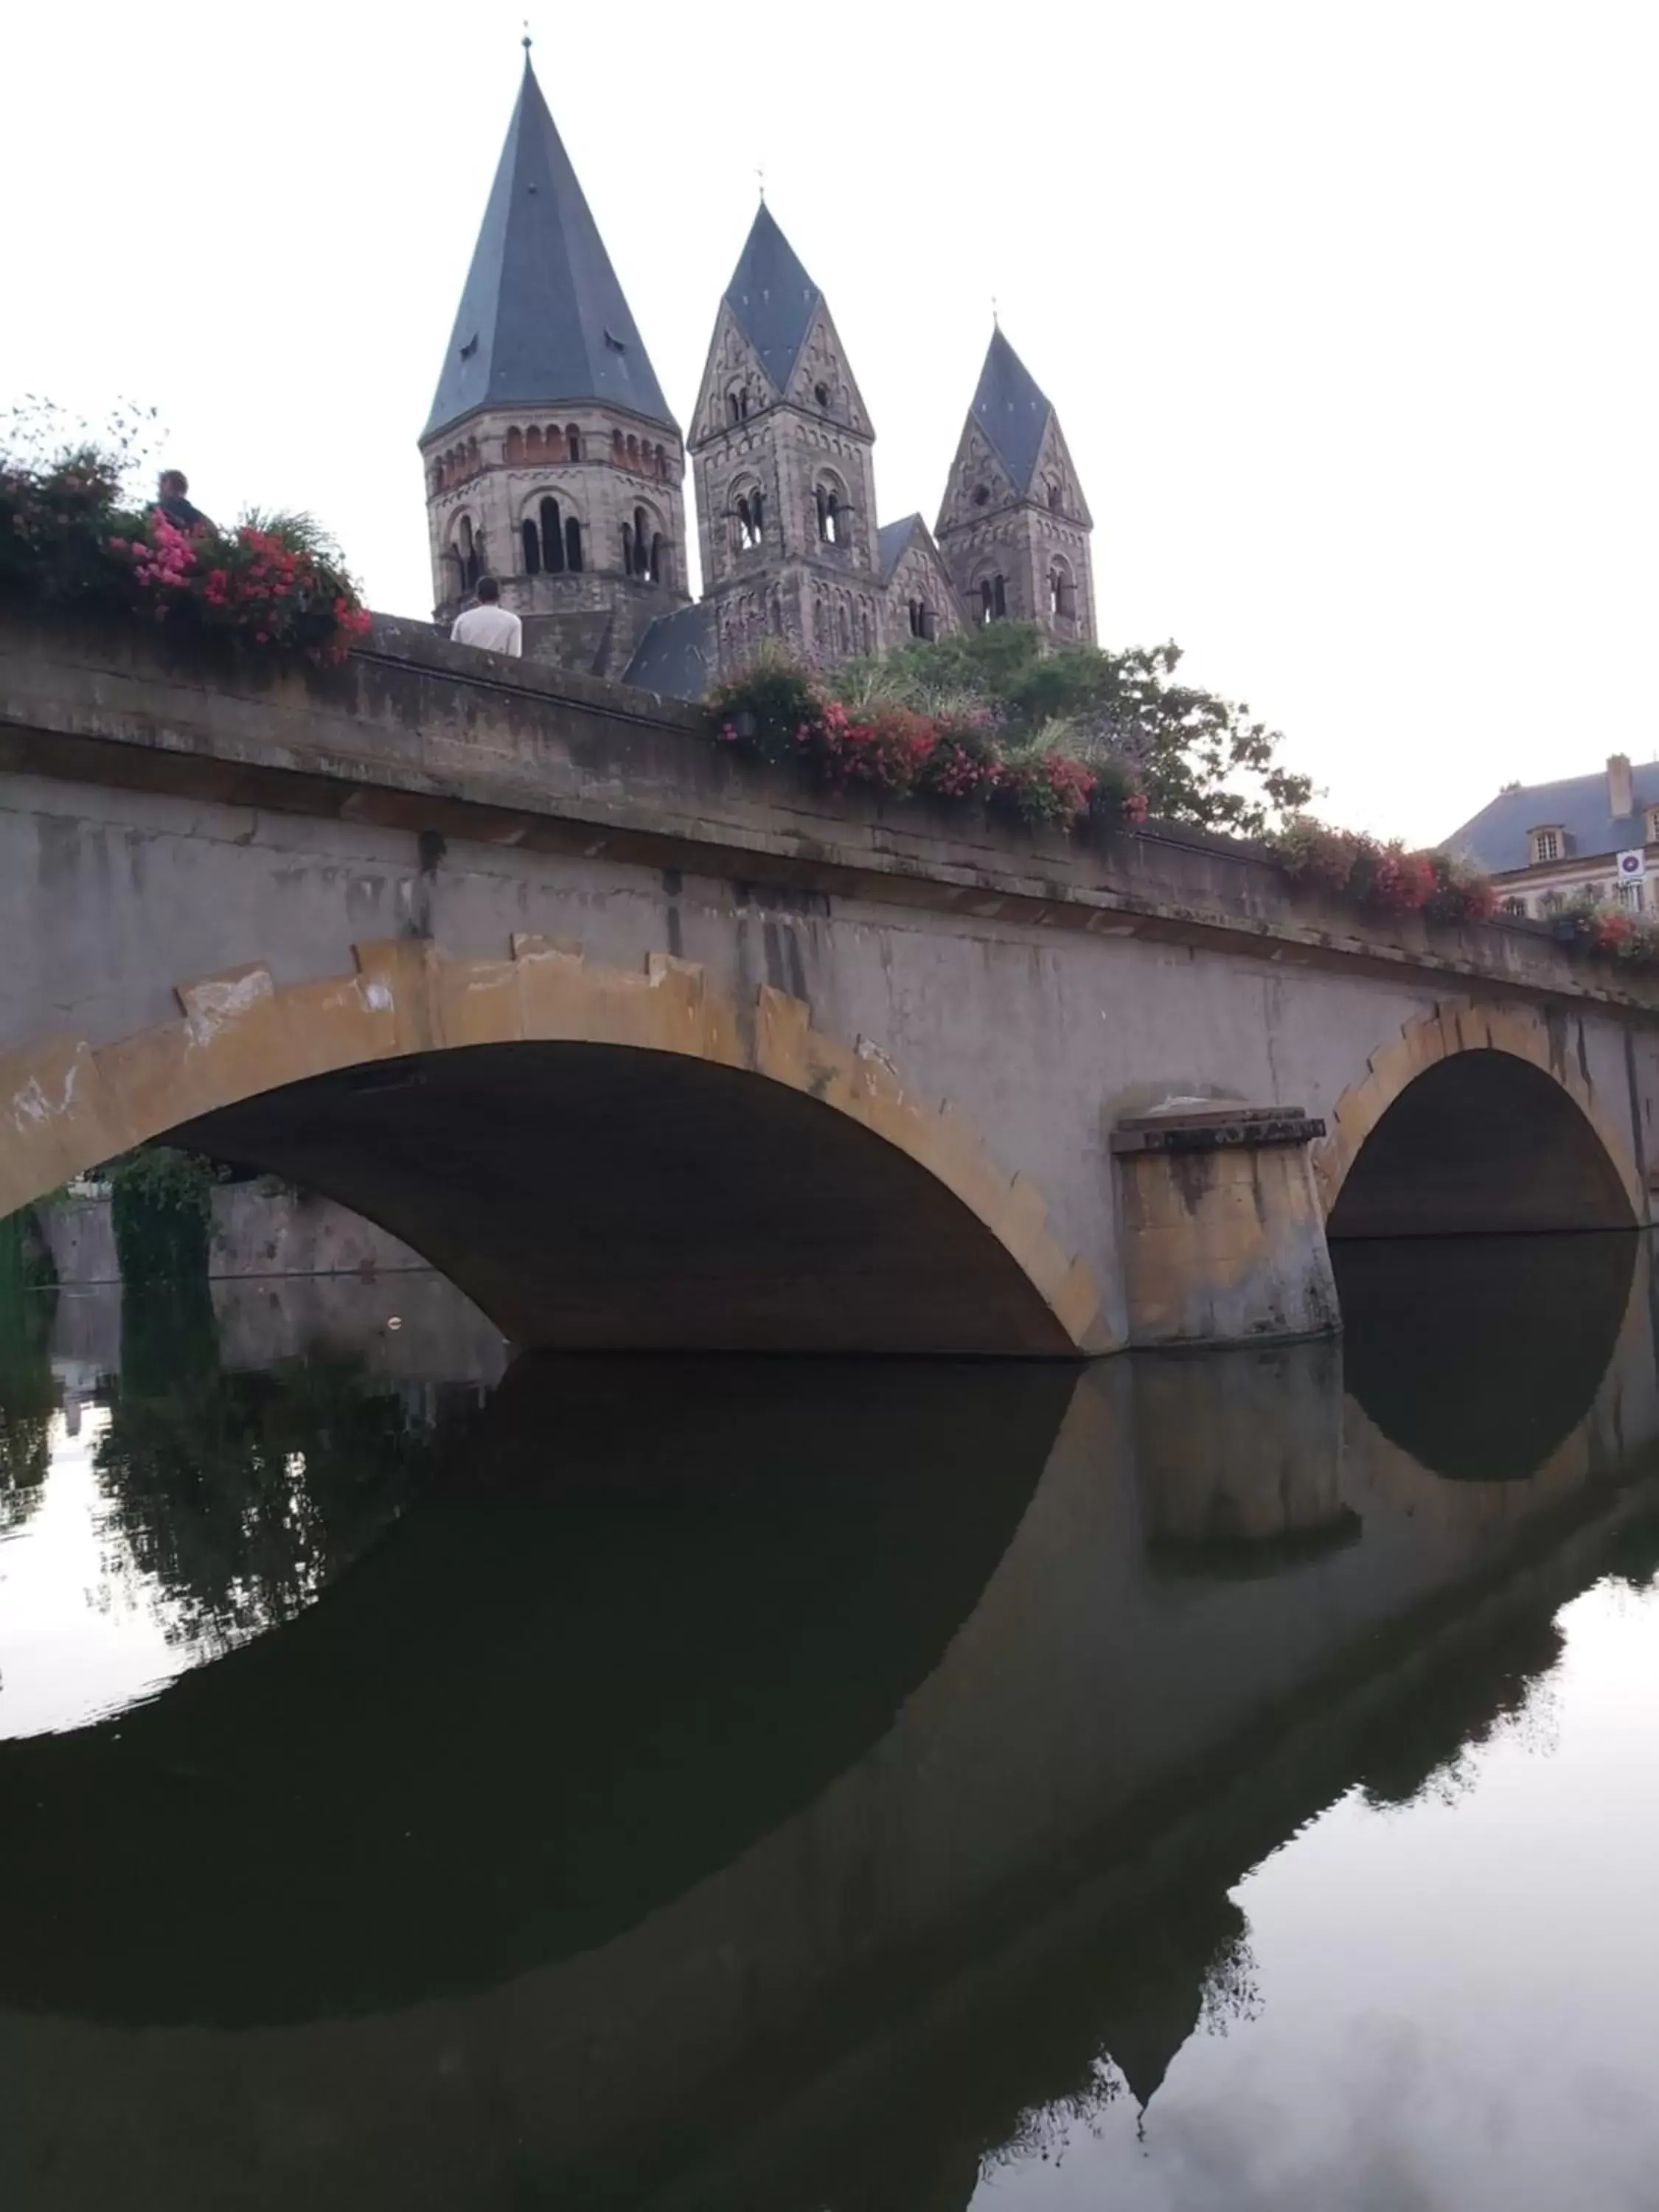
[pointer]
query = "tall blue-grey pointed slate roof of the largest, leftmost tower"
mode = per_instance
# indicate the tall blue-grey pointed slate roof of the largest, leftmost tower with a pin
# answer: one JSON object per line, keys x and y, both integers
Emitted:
{"x": 543, "y": 317}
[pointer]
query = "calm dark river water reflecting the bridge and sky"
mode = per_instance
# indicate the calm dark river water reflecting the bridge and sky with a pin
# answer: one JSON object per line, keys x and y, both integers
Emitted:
{"x": 1182, "y": 1784}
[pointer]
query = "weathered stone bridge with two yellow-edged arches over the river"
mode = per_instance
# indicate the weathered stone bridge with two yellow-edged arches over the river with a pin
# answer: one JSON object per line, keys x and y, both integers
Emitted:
{"x": 649, "y": 1047}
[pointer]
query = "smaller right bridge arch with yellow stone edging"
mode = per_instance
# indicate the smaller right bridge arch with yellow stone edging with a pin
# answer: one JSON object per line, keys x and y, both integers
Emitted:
{"x": 1477, "y": 1120}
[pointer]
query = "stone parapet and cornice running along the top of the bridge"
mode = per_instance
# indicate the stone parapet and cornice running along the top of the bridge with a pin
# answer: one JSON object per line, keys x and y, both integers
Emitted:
{"x": 432, "y": 738}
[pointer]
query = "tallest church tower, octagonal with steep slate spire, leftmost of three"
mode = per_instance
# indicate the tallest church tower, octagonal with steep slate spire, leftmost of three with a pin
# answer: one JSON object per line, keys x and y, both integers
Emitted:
{"x": 552, "y": 457}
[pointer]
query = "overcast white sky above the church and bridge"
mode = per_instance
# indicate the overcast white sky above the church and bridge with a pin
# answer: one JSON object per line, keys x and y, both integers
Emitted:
{"x": 1348, "y": 311}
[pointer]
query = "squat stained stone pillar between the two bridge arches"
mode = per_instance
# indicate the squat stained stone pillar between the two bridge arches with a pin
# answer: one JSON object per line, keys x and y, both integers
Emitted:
{"x": 1224, "y": 1240}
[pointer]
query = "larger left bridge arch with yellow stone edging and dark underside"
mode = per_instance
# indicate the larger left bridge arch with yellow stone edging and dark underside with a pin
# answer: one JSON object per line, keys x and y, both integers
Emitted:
{"x": 961, "y": 1255}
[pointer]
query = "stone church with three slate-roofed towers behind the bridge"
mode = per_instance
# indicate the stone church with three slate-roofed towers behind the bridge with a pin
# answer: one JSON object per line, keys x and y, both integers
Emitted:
{"x": 554, "y": 463}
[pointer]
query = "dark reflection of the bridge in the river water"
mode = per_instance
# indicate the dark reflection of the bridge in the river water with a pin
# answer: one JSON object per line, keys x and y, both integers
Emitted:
{"x": 773, "y": 1784}
